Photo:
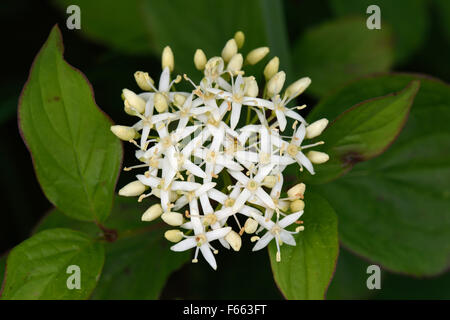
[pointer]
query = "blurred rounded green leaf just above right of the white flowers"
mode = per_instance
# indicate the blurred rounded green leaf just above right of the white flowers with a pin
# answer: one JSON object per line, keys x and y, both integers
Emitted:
{"x": 338, "y": 51}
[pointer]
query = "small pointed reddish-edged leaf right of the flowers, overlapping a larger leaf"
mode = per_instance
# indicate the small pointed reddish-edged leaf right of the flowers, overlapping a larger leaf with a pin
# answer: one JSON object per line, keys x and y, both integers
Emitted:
{"x": 363, "y": 132}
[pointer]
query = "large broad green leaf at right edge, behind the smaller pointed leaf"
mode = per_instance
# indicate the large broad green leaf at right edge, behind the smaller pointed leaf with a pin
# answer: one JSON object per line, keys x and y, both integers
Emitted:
{"x": 395, "y": 209}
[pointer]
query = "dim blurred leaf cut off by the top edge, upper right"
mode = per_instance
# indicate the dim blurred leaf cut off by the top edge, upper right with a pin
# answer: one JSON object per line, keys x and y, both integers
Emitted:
{"x": 408, "y": 19}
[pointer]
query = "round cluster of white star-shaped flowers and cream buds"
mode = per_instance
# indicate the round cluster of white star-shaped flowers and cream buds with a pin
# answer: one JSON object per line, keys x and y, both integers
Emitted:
{"x": 217, "y": 151}
